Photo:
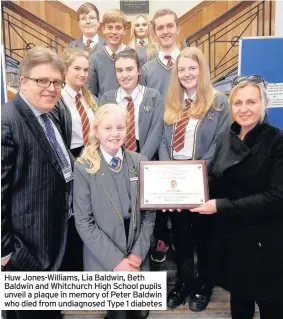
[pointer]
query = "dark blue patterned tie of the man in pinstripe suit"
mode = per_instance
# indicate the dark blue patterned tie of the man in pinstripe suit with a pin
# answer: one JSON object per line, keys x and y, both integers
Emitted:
{"x": 50, "y": 133}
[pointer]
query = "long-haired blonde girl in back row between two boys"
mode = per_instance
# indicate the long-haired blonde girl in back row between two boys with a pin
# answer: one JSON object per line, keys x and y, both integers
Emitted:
{"x": 141, "y": 39}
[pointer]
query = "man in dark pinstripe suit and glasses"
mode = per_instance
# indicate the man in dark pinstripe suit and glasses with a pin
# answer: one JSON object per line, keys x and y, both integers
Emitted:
{"x": 36, "y": 174}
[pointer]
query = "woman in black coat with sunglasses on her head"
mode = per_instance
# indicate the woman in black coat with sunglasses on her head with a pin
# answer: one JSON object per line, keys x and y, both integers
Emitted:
{"x": 246, "y": 191}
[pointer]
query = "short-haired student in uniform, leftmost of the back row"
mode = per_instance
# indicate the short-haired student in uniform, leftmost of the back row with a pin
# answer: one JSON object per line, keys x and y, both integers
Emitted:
{"x": 88, "y": 20}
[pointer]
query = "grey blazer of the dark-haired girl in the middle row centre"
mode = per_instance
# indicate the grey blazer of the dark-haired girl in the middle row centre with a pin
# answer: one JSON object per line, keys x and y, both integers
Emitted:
{"x": 150, "y": 119}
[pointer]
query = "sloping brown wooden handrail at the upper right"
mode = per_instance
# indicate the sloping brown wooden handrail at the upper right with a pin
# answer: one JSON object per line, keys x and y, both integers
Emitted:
{"x": 218, "y": 21}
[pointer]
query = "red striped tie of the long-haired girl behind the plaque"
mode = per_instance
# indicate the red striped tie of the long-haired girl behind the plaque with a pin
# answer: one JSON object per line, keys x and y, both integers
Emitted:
{"x": 179, "y": 137}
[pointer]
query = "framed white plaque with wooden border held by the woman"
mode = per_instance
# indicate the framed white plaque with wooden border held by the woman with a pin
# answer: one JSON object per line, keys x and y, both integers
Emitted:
{"x": 173, "y": 184}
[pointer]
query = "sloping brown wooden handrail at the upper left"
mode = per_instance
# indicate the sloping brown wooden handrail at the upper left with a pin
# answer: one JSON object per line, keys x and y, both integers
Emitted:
{"x": 37, "y": 21}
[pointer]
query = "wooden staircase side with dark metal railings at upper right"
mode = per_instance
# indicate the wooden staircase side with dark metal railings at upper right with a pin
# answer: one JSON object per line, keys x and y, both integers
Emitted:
{"x": 219, "y": 40}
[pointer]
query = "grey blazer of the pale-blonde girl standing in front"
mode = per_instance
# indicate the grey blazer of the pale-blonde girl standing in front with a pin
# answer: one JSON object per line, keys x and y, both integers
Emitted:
{"x": 99, "y": 220}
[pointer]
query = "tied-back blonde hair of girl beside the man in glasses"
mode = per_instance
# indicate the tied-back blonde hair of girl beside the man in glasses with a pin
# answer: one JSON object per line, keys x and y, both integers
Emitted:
{"x": 68, "y": 56}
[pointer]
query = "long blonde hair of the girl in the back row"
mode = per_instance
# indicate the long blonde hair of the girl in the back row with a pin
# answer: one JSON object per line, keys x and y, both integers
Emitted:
{"x": 151, "y": 47}
